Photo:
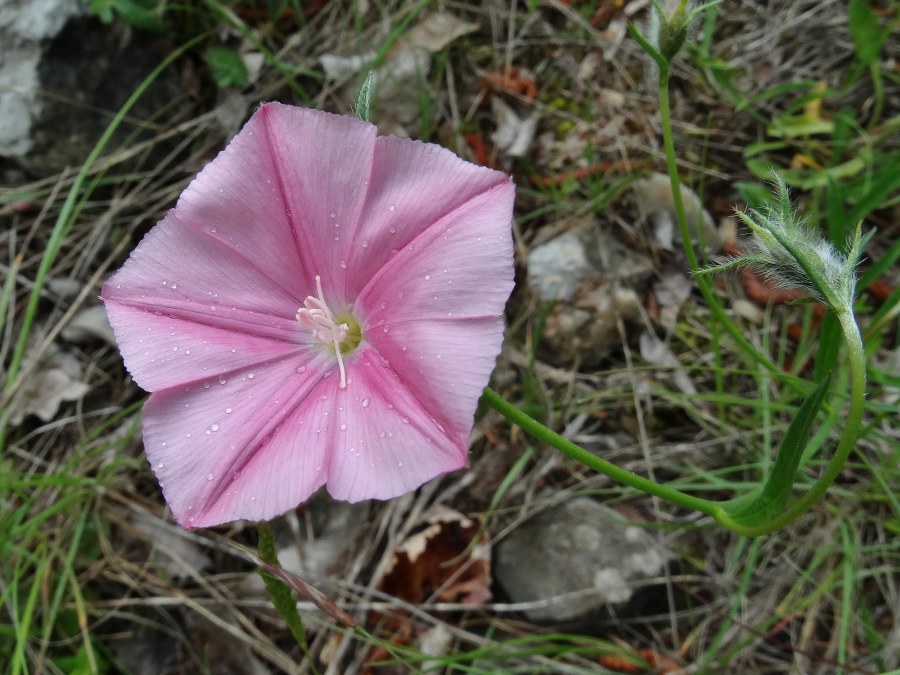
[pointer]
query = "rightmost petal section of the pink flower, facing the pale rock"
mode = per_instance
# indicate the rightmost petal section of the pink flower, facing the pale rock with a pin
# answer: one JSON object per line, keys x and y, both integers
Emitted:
{"x": 435, "y": 311}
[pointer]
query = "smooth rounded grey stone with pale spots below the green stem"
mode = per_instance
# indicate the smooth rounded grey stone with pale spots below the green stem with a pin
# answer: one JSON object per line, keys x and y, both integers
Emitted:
{"x": 573, "y": 560}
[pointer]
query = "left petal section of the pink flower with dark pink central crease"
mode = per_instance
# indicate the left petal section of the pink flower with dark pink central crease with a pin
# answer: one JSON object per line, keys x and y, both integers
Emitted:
{"x": 184, "y": 307}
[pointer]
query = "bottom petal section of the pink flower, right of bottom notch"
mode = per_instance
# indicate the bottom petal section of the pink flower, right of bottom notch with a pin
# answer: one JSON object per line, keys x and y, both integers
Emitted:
{"x": 384, "y": 441}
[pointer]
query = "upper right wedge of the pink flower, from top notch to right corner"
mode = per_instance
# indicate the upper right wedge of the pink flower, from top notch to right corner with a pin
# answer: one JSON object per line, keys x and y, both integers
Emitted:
{"x": 413, "y": 186}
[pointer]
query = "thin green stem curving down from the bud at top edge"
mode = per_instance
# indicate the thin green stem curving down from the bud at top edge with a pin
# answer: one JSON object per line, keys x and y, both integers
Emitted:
{"x": 703, "y": 284}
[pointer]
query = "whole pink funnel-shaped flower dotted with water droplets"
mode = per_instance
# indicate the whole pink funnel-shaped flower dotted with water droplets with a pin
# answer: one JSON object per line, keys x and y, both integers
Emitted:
{"x": 323, "y": 306}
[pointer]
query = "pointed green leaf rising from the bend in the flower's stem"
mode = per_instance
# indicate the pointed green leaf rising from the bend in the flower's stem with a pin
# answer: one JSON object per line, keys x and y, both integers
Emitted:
{"x": 762, "y": 506}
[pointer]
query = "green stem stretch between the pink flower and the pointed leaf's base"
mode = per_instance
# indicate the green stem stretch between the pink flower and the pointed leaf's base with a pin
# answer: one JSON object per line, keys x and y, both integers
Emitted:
{"x": 576, "y": 452}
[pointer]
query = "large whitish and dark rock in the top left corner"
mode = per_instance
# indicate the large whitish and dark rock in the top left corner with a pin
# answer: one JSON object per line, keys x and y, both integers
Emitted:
{"x": 63, "y": 75}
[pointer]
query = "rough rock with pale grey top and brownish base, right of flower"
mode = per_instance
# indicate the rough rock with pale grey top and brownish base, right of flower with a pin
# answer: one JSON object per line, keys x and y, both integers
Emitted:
{"x": 591, "y": 279}
